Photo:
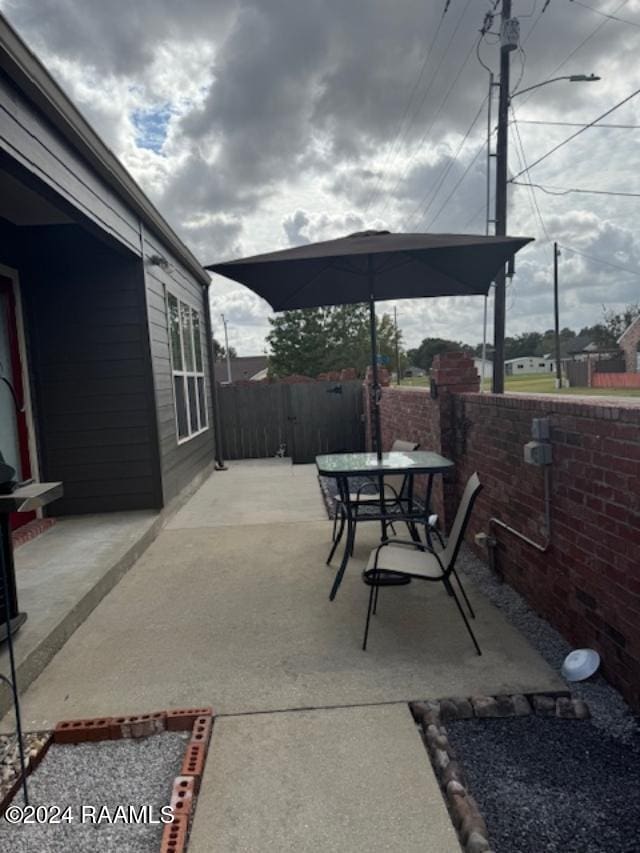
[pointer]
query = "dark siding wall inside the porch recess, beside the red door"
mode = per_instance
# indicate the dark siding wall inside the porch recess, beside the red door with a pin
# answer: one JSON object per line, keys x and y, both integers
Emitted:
{"x": 91, "y": 371}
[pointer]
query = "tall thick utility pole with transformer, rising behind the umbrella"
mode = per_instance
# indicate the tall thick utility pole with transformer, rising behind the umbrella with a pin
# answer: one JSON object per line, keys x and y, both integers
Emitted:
{"x": 506, "y": 46}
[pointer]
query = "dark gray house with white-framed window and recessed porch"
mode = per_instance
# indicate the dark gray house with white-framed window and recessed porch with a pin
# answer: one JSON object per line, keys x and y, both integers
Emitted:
{"x": 104, "y": 326}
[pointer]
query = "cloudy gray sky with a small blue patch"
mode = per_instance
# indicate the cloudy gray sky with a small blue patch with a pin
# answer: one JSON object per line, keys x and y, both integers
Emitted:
{"x": 258, "y": 125}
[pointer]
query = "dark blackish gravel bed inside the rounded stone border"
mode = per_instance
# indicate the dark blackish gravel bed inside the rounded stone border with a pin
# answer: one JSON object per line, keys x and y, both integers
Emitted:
{"x": 561, "y": 786}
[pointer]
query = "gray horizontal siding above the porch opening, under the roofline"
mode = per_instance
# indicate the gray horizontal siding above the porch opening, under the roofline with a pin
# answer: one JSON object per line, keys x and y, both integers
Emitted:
{"x": 31, "y": 140}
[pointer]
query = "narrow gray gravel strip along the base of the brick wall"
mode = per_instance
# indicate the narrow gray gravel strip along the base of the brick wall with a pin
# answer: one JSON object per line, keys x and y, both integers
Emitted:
{"x": 609, "y": 711}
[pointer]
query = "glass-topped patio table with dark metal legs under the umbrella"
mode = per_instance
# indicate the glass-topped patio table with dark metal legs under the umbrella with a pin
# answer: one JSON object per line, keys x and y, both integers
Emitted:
{"x": 342, "y": 466}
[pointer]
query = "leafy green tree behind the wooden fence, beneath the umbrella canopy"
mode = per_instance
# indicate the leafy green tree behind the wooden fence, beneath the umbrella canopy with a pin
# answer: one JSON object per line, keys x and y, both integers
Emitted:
{"x": 316, "y": 340}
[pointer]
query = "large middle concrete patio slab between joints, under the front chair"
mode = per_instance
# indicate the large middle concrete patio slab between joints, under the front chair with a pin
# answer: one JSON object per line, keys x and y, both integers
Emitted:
{"x": 239, "y": 617}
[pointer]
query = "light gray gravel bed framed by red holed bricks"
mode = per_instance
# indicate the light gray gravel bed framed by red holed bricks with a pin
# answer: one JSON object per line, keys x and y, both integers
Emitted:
{"x": 129, "y": 772}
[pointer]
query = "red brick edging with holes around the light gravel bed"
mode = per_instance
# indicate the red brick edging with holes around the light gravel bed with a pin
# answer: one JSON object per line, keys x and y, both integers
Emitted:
{"x": 186, "y": 784}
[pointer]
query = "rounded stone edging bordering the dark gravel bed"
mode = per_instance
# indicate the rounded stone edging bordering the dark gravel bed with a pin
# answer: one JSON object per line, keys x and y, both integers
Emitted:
{"x": 429, "y": 715}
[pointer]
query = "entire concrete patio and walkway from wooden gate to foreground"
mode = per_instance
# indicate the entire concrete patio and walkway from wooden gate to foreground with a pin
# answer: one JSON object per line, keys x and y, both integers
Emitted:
{"x": 315, "y": 749}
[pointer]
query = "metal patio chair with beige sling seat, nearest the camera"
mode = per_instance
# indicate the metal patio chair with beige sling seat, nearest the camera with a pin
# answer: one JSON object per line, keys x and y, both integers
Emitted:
{"x": 415, "y": 560}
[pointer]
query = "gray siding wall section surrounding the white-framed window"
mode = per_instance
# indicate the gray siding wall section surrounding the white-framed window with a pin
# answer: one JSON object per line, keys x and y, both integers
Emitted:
{"x": 180, "y": 463}
